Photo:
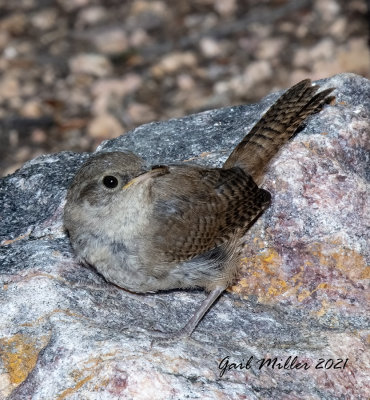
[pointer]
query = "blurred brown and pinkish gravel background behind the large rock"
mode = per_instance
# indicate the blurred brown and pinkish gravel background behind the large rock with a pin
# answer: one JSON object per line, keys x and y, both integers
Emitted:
{"x": 76, "y": 72}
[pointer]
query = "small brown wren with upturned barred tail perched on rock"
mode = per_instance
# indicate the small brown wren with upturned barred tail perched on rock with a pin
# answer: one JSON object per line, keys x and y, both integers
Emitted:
{"x": 179, "y": 226}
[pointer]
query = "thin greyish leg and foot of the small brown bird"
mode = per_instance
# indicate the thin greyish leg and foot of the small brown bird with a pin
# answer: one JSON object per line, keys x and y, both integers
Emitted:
{"x": 188, "y": 329}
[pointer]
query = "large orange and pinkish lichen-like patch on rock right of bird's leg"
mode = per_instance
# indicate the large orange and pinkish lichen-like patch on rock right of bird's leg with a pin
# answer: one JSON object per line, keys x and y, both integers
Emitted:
{"x": 265, "y": 276}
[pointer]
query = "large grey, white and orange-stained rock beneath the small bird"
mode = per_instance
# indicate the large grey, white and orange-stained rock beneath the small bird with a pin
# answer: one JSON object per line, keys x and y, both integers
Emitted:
{"x": 302, "y": 292}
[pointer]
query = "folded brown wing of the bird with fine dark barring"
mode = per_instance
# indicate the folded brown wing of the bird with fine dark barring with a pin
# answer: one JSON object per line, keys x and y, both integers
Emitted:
{"x": 197, "y": 209}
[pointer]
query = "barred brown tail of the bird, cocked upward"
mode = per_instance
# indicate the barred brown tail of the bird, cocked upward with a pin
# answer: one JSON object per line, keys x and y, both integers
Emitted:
{"x": 276, "y": 127}
